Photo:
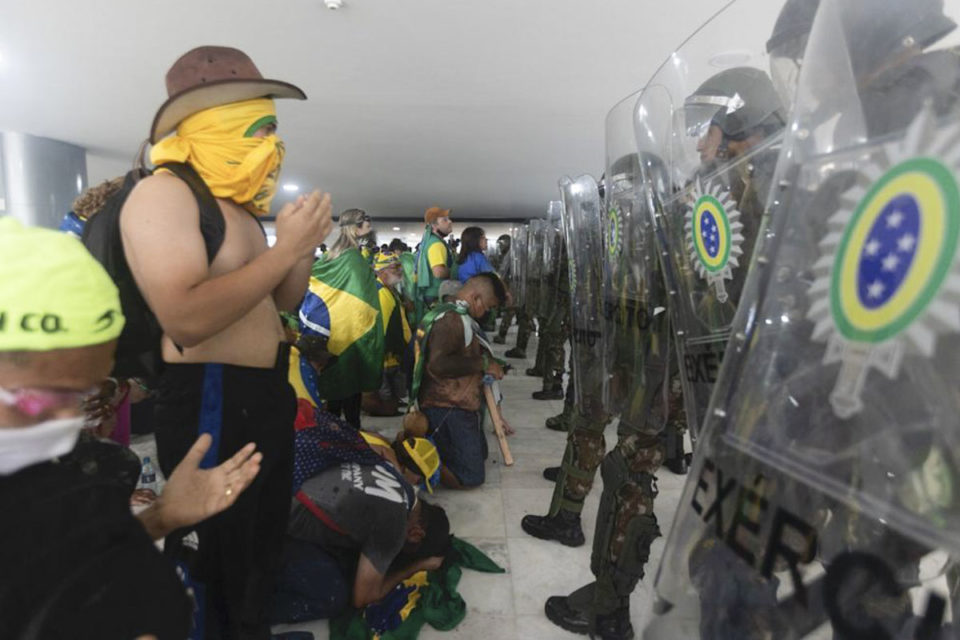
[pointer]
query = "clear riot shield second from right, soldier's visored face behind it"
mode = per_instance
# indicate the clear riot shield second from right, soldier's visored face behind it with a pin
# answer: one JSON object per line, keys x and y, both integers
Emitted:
{"x": 723, "y": 132}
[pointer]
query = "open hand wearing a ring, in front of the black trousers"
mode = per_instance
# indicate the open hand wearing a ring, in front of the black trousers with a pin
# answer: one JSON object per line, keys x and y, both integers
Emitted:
{"x": 193, "y": 494}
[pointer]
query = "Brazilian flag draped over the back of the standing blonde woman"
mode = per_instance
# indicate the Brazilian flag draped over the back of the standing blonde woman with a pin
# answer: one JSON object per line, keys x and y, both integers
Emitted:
{"x": 342, "y": 304}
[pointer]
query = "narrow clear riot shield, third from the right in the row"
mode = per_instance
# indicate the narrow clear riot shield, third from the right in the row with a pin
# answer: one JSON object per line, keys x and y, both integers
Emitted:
{"x": 635, "y": 328}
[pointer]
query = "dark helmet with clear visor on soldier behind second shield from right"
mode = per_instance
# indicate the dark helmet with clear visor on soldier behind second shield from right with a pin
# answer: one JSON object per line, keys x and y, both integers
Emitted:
{"x": 740, "y": 101}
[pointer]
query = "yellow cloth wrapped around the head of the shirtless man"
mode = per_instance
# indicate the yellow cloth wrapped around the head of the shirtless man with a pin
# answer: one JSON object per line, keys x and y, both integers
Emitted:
{"x": 219, "y": 143}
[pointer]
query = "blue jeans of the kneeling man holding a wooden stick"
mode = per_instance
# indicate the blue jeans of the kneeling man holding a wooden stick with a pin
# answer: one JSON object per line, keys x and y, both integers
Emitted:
{"x": 460, "y": 441}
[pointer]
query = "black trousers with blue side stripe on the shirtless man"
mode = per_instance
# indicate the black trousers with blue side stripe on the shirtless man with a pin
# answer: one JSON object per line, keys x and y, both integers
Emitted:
{"x": 231, "y": 561}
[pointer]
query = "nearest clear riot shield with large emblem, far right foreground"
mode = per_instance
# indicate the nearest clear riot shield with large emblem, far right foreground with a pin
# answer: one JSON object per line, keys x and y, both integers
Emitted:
{"x": 823, "y": 500}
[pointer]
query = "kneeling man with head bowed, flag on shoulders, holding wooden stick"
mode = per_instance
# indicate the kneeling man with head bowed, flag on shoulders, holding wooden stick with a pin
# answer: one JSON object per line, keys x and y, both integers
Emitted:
{"x": 452, "y": 358}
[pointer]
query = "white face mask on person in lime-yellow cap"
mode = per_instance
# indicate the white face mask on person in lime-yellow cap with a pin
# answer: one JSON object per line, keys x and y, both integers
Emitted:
{"x": 21, "y": 447}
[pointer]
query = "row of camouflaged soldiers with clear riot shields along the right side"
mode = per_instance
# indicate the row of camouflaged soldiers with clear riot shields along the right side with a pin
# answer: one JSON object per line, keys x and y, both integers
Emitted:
{"x": 772, "y": 259}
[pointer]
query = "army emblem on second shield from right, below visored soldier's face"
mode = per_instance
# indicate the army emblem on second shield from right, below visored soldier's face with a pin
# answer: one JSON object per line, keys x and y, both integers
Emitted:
{"x": 714, "y": 237}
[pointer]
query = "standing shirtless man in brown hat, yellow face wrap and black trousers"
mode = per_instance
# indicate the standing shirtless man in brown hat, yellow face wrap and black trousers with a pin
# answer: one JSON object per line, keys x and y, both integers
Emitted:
{"x": 223, "y": 345}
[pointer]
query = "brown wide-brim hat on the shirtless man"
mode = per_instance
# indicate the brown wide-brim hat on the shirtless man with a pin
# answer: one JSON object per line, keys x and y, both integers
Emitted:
{"x": 211, "y": 76}
